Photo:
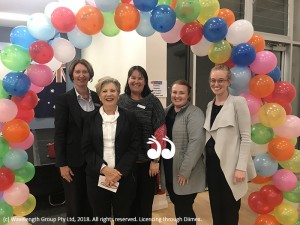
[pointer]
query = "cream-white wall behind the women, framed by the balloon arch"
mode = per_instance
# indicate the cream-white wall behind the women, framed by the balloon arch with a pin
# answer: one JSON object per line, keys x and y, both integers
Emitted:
{"x": 113, "y": 56}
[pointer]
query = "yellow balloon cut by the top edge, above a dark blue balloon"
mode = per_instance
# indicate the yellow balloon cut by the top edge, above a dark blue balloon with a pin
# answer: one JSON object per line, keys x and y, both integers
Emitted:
{"x": 208, "y": 9}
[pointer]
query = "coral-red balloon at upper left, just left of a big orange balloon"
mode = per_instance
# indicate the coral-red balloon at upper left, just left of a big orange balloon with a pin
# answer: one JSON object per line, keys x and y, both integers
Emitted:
{"x": 63, "y": 19}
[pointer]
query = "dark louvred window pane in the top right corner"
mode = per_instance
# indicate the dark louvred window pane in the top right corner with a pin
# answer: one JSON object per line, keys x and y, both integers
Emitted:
{"x": 270, "y": 16}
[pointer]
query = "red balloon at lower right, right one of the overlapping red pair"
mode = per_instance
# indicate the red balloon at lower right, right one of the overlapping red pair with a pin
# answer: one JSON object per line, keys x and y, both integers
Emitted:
{"x": 272, "y": 195}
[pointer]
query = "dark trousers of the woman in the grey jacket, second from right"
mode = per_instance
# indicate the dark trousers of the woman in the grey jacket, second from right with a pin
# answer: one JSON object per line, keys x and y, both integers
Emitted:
{"x": 183, "y": 205}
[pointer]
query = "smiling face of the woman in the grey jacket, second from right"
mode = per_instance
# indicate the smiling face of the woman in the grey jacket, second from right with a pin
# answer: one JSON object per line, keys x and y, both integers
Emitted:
{"x": 179, "y": 95}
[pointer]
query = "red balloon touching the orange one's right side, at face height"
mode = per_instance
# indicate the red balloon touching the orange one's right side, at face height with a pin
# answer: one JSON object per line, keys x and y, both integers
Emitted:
{"x": 284, "y": 90}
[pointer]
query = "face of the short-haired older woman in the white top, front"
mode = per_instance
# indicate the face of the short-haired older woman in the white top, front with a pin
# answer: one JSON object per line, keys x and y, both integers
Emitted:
{"x": 109, "y": 95}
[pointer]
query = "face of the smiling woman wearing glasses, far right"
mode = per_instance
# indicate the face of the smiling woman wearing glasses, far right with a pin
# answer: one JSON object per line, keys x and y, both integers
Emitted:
{"x": 219, "y": 82}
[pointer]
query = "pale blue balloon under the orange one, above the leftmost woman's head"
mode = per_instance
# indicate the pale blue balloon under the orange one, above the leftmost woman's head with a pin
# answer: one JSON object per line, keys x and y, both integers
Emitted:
{"x": 79, "y": 39}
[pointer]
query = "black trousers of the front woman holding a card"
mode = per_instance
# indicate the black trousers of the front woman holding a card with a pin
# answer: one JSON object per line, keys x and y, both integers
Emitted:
{"x": 107, "y": 204}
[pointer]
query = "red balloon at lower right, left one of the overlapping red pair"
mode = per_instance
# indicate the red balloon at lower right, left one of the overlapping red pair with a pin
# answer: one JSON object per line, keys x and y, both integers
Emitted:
{"x": 258, "y": 204}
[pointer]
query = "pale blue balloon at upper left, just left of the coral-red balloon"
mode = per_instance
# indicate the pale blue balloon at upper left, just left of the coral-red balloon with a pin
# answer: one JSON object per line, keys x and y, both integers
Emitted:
{"x": 40, "y": 26}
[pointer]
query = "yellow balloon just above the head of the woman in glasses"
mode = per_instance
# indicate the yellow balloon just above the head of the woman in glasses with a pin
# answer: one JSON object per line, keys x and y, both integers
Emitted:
{"x": 219, "y": 52}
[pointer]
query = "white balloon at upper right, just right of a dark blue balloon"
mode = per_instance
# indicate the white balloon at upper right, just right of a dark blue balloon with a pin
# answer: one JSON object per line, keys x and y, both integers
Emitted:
{"x": 239, "y": 31}
